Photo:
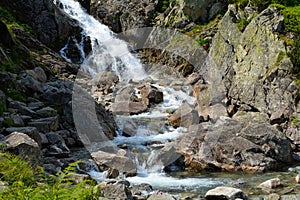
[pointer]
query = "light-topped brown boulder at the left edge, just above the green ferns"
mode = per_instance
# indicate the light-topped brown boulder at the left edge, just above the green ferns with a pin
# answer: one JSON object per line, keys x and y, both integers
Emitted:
{"x": 22, "y": 145}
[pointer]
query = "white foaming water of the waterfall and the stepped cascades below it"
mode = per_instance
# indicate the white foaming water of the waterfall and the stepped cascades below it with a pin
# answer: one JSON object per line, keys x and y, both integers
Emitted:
{"x": 111, "y": 54}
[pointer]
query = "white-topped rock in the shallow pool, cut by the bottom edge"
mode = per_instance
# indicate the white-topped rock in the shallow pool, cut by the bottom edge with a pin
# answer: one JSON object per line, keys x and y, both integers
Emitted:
{"x": 228, "y": 193}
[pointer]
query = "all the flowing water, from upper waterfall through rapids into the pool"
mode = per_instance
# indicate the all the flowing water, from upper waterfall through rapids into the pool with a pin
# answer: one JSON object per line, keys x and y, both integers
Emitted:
{"x": 112, "y": 54}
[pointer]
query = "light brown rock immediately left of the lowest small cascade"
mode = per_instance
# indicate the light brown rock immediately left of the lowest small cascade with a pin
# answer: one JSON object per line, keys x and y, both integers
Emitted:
{"x": 106, "y": 160}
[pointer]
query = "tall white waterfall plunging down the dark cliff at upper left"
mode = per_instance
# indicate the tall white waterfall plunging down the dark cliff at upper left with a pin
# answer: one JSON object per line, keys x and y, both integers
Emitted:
{"x": 108, "y": 52}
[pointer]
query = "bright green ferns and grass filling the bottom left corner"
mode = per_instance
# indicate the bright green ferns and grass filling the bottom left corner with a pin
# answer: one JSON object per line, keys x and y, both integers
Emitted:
{"x": 25, "y": 182}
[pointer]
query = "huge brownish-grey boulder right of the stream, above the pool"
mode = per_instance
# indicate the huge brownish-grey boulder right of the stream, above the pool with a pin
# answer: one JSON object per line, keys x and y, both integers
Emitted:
{"x": 232, "y": 145}
